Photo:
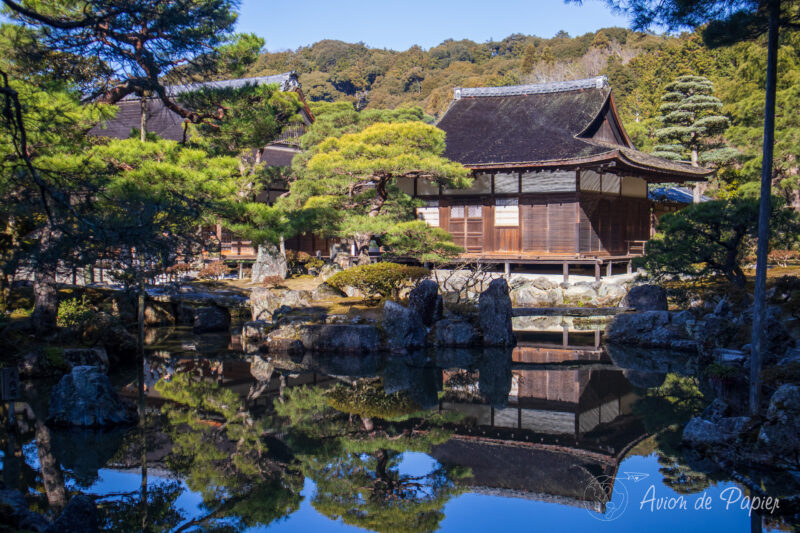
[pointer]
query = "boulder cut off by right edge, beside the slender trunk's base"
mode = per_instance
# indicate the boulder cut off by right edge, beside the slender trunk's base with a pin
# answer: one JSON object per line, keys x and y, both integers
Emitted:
{"x": 780, "y": 434}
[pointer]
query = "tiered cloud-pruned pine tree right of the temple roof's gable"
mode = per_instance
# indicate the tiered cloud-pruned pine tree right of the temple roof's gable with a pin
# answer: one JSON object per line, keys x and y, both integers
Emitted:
{"x": 692, "y": 123}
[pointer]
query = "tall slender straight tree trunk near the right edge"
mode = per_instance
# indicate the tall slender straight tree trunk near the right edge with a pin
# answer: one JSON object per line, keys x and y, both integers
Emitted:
{"x": 759, "y": 304}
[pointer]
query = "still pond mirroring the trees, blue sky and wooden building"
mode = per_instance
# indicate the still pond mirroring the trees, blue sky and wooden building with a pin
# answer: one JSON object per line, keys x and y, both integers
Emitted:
{"x": 549, "y": 435}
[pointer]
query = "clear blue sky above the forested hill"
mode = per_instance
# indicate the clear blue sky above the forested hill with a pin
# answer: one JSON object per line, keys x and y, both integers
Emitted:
{"x": 399, "y": 24}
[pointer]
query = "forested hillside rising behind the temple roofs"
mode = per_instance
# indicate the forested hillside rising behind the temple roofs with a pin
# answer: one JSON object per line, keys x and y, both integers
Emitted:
{"x": 638, "y": 65}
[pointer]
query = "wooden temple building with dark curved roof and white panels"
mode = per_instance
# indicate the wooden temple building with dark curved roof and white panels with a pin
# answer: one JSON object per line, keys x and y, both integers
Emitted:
{"x": 557, "y": 178}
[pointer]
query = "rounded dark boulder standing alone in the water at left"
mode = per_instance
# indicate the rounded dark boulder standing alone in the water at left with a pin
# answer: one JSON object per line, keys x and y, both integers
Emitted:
{"x": 86, "y": 398}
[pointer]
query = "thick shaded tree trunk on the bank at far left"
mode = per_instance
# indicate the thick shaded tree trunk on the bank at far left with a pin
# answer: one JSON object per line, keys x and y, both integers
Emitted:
{"x": 45, "y": 294}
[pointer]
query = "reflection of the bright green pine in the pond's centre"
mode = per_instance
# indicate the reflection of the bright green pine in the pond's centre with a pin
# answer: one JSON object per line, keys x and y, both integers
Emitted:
{"x": 357, "y": 466}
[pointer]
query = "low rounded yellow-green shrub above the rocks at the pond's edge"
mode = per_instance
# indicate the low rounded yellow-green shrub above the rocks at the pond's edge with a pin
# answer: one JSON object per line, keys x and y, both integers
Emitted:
{"x": 378, "y": 279}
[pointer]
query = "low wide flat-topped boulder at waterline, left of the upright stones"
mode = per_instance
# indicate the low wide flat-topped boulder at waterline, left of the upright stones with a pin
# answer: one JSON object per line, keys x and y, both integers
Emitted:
{"x": 340, "y": 338}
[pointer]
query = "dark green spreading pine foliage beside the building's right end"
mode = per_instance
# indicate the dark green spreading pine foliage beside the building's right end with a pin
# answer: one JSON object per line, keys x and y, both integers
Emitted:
{"x": 711, "y": 238}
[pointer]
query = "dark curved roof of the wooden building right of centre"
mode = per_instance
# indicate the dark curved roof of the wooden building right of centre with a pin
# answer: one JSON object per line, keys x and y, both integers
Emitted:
{"x": 538, "y": 125}
